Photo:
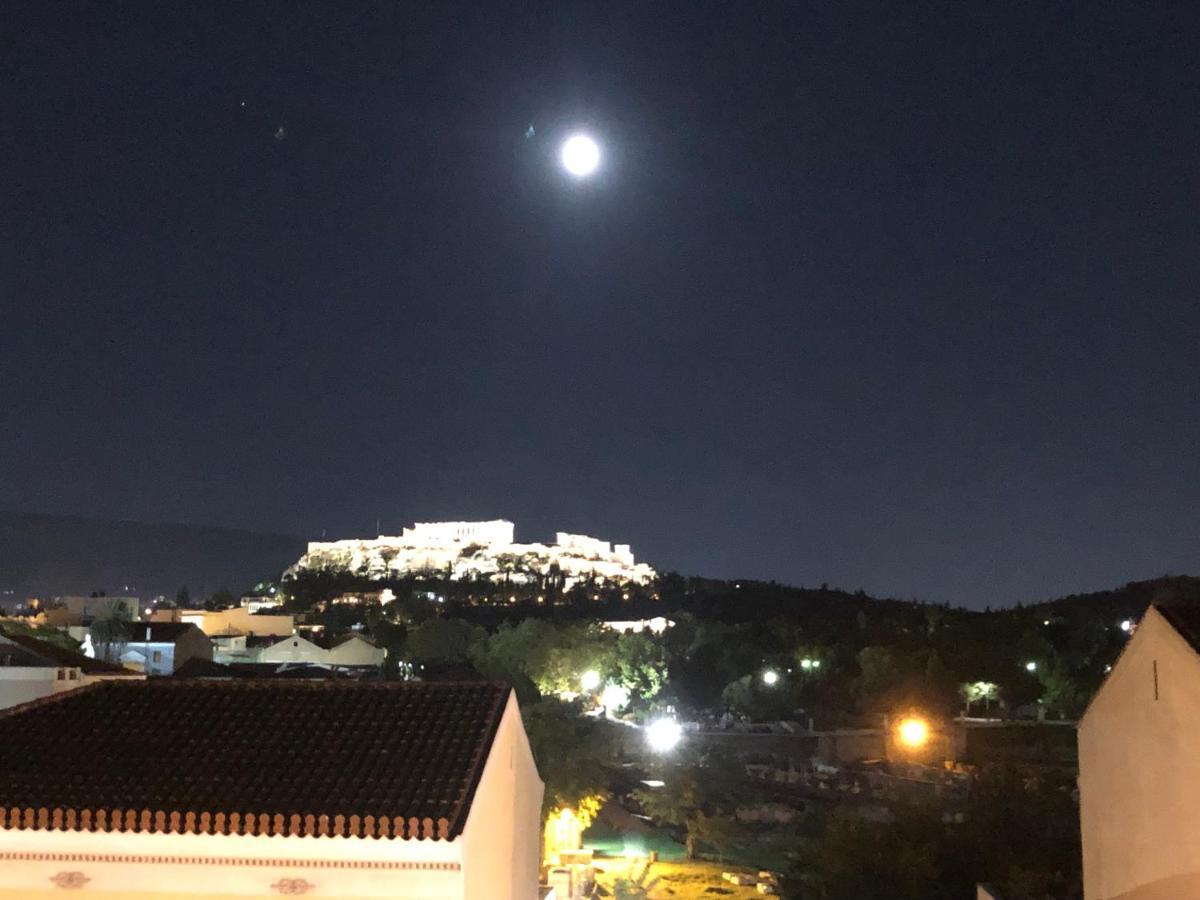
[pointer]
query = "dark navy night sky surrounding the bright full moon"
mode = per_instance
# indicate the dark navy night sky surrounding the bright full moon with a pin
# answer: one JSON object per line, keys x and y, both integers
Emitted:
{"x": 902, "y": 299}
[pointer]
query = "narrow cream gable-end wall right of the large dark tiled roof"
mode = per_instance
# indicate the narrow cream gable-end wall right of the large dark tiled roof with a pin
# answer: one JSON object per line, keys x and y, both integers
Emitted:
{"x": 501, "y": 841}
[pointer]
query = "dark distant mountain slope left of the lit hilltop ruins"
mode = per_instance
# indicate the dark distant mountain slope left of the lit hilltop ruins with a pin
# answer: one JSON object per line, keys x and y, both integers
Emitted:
{"x": 45, "y": 555}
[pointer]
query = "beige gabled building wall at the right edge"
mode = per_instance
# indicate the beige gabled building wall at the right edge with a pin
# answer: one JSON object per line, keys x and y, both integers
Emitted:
{"x": 1139, "y": 758}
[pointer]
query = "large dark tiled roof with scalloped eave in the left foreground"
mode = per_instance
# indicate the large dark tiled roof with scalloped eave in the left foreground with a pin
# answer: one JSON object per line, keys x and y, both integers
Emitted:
{"x": 385, "y": 760}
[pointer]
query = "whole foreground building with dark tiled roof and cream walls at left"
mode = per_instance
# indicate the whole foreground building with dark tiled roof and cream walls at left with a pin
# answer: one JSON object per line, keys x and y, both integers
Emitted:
{"x": 268, "y": 789}
